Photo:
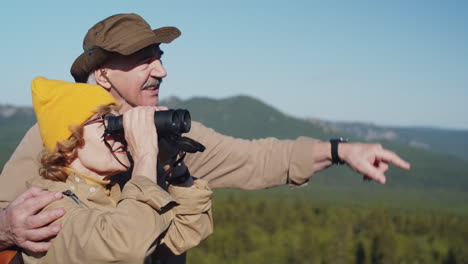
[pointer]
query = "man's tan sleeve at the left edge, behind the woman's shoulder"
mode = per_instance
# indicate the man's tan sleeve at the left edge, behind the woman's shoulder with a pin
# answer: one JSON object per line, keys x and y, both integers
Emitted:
{"x": 21, "y": 166}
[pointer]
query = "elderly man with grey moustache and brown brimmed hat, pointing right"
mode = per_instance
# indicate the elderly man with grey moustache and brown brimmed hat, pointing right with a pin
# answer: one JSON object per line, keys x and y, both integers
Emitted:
{"x": 122, "y": 54}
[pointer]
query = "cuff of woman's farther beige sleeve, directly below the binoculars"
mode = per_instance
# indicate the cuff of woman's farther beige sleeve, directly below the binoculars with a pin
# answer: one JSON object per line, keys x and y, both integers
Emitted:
{"x": 192, "y": 200}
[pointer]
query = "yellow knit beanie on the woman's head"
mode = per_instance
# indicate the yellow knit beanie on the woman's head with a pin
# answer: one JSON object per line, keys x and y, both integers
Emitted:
{"x": 59, "y": 104}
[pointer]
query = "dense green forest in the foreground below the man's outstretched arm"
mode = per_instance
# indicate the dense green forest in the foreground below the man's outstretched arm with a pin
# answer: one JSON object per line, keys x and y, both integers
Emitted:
{"x": 277, "y": 231}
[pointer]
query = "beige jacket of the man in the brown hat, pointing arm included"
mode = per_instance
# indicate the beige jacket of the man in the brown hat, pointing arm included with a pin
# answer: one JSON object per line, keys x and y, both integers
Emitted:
{"x": 226, "y": 163}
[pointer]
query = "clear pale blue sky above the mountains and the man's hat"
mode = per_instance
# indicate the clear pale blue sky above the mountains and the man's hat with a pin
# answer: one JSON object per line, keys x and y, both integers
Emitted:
{"x": 387, "y": 62}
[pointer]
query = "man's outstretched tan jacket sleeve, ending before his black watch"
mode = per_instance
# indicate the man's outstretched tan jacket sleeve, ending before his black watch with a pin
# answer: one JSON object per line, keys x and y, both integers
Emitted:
{"x": 229, "y": 162}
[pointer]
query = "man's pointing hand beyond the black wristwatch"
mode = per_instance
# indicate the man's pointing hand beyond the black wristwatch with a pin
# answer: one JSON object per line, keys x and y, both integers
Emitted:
{"x": 370, "y": 159}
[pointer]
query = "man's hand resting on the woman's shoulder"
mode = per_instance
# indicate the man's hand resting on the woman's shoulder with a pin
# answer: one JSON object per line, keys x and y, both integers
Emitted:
{"x": 21, "y": 226}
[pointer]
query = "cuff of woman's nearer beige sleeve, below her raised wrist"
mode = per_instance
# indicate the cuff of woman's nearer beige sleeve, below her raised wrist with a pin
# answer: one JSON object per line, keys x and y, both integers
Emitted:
{"x": 144, "y": 190}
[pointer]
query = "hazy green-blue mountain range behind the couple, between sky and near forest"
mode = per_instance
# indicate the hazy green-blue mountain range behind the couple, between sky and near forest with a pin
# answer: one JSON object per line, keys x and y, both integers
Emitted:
{"x": 439, "y": 157}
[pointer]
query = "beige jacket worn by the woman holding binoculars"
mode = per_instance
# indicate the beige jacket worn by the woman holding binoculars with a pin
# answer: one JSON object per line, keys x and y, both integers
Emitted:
{"x": 126, "y": 225}
